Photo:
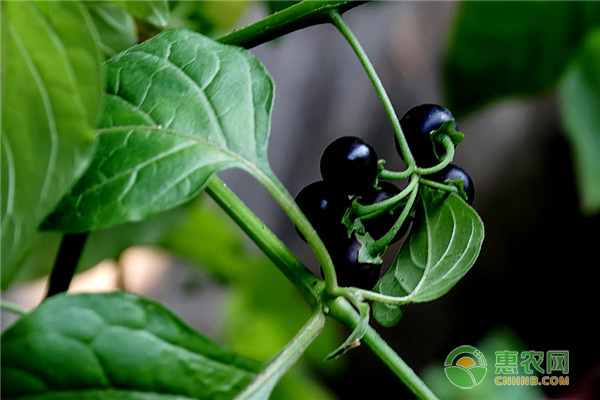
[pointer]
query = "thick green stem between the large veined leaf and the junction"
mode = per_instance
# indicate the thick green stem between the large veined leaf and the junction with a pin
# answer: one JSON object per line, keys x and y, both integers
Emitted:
{"x": 266, "y": 240}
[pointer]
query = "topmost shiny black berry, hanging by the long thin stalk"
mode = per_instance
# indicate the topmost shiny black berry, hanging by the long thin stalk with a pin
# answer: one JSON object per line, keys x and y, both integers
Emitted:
{"x": 416, "y": 124}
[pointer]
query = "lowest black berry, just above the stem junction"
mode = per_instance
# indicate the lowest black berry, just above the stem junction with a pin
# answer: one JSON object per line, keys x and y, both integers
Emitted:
{"x": 351, "y": 272}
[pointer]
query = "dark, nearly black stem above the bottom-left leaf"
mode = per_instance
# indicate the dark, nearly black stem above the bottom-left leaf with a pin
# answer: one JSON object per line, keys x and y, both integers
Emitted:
{"x": 70, "y": 250}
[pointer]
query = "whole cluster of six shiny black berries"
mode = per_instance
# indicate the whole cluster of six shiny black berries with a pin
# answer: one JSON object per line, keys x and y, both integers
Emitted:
{"x": 349, "y": 168}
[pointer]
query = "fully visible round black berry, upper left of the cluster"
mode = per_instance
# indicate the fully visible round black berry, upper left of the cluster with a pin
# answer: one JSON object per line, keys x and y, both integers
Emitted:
{"x": 349, "y": 164}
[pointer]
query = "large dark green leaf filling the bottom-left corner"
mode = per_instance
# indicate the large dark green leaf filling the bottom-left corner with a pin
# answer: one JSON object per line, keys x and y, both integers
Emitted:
{"x": 115, "y": 346}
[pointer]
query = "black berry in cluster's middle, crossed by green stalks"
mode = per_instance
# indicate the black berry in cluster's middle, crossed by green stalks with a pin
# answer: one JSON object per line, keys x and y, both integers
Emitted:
{"x": 381, "y": 224}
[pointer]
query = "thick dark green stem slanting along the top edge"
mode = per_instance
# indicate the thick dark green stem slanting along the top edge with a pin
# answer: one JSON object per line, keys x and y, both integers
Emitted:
{"x": 298, "y": 16}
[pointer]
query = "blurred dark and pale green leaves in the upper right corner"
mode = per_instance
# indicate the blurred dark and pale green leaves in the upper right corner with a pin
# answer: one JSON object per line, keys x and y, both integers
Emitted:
{"x": 507, "y": 49}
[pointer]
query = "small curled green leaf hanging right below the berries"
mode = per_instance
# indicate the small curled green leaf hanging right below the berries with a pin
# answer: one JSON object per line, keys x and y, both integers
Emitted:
{"x": 444, "y": 243}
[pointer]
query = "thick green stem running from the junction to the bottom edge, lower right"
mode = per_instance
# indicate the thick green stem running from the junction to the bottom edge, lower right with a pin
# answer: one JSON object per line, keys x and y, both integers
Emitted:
{"x": 342, "y": 310}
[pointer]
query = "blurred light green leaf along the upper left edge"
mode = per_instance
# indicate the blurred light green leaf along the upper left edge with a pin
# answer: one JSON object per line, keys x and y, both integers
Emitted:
{"x": 51, "y": 89}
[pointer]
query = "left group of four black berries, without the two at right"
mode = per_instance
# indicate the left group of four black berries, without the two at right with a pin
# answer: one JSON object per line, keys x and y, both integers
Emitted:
{"x": 349, "y": 168}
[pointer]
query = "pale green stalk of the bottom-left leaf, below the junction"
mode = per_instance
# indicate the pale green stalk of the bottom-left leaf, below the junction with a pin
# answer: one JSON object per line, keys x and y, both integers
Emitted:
{"x": 278, "y": 365}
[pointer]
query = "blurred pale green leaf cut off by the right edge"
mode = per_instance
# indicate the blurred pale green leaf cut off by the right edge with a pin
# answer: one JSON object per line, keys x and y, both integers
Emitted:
{"x": 580, "y": 102}
